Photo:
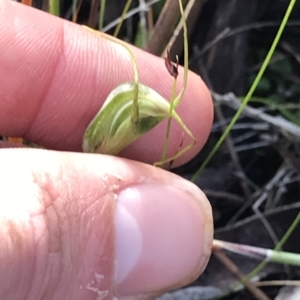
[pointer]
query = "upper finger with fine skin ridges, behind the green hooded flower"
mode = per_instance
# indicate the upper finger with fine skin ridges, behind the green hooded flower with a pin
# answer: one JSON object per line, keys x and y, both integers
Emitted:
{"x": 55, "y": 76}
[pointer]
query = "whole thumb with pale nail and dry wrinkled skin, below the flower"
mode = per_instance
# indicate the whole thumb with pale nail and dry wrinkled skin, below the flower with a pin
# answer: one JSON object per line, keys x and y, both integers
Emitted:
{"x": 82, "y": 226}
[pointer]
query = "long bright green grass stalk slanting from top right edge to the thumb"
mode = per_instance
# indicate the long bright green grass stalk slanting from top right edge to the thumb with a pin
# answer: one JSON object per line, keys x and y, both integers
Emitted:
{"x": 251, "y": 91}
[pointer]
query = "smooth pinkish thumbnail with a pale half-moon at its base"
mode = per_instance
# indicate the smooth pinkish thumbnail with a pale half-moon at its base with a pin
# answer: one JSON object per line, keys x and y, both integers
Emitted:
{"x": 161, "y": 238}
